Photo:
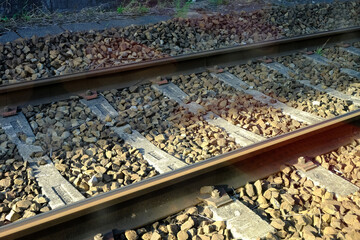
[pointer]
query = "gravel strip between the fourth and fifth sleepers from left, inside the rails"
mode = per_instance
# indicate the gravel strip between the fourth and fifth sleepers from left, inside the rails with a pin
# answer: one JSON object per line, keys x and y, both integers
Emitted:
{"x": 291, "y": 92}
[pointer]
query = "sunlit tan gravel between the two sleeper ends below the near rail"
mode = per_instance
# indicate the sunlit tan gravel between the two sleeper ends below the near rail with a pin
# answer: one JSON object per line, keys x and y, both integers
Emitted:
{"x": 299, "y": 210}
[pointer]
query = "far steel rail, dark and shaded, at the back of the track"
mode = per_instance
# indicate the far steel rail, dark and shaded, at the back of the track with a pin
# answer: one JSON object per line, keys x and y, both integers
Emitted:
{"x": 61, "y": 87}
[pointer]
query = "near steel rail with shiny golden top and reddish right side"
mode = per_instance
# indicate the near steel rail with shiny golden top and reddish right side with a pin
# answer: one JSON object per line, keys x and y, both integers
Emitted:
{"x": 161, "y": 196}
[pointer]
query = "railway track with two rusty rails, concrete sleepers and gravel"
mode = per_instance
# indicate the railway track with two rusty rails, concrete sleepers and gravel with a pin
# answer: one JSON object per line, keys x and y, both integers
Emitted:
{"x": 137, "y": 145}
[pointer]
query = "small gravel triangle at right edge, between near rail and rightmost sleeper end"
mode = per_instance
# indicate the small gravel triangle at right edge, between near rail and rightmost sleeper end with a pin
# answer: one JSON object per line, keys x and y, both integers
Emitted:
{"x": 345, "y": 162}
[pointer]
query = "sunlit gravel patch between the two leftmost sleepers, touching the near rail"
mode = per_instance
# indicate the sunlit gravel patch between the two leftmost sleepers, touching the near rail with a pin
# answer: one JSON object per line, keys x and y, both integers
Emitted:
{"x": 105, "y": 165}
